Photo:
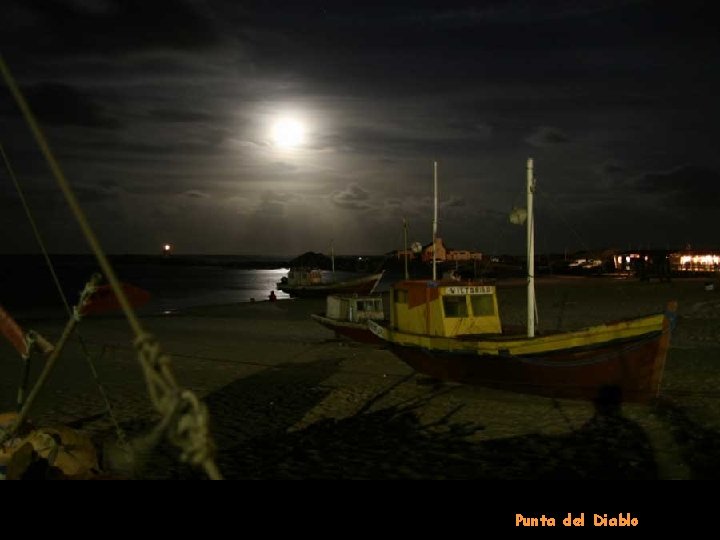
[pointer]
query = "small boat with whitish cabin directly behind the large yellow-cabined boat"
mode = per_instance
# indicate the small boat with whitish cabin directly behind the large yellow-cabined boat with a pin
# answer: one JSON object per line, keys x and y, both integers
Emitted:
{"x": 347, "y": 315}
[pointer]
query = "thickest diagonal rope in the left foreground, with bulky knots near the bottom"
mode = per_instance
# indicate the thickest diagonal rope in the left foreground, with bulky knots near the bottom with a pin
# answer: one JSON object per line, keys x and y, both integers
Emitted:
{"x": 190, "y": 432}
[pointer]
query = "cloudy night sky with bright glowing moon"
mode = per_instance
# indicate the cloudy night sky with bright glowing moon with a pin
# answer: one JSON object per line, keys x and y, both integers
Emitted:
{"x": 164, "y": 115}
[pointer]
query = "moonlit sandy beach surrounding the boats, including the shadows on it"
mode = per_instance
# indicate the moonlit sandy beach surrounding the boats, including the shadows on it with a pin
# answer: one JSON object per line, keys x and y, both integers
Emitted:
{"x": 288, "y": 400}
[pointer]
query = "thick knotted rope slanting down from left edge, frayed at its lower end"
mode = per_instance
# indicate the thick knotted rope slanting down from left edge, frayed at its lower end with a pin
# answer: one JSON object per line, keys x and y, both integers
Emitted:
{"x": 155, "y": 365}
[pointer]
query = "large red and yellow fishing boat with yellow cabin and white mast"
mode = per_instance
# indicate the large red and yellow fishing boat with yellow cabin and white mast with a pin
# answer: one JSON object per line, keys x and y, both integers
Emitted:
{"x": 452, "y": 330}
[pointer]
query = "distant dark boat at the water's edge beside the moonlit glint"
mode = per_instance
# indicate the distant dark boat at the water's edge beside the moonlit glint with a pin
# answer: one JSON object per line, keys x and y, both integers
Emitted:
{"x": 316, "y": 283}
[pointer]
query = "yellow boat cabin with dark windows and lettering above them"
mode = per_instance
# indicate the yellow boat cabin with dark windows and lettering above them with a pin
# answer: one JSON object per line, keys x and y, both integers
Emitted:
{"x": 444, "y": 308}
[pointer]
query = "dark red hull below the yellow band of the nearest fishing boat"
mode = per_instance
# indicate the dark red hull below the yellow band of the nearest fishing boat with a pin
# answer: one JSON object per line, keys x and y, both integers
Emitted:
{"x": 633, "y": 365}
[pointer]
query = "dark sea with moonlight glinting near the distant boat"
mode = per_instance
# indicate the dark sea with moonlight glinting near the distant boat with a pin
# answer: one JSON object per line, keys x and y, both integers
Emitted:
{"x": 175, "y": 282}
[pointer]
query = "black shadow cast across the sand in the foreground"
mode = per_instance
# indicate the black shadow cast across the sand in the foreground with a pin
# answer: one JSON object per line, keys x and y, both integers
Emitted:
{"x": 252, "y": 418}
